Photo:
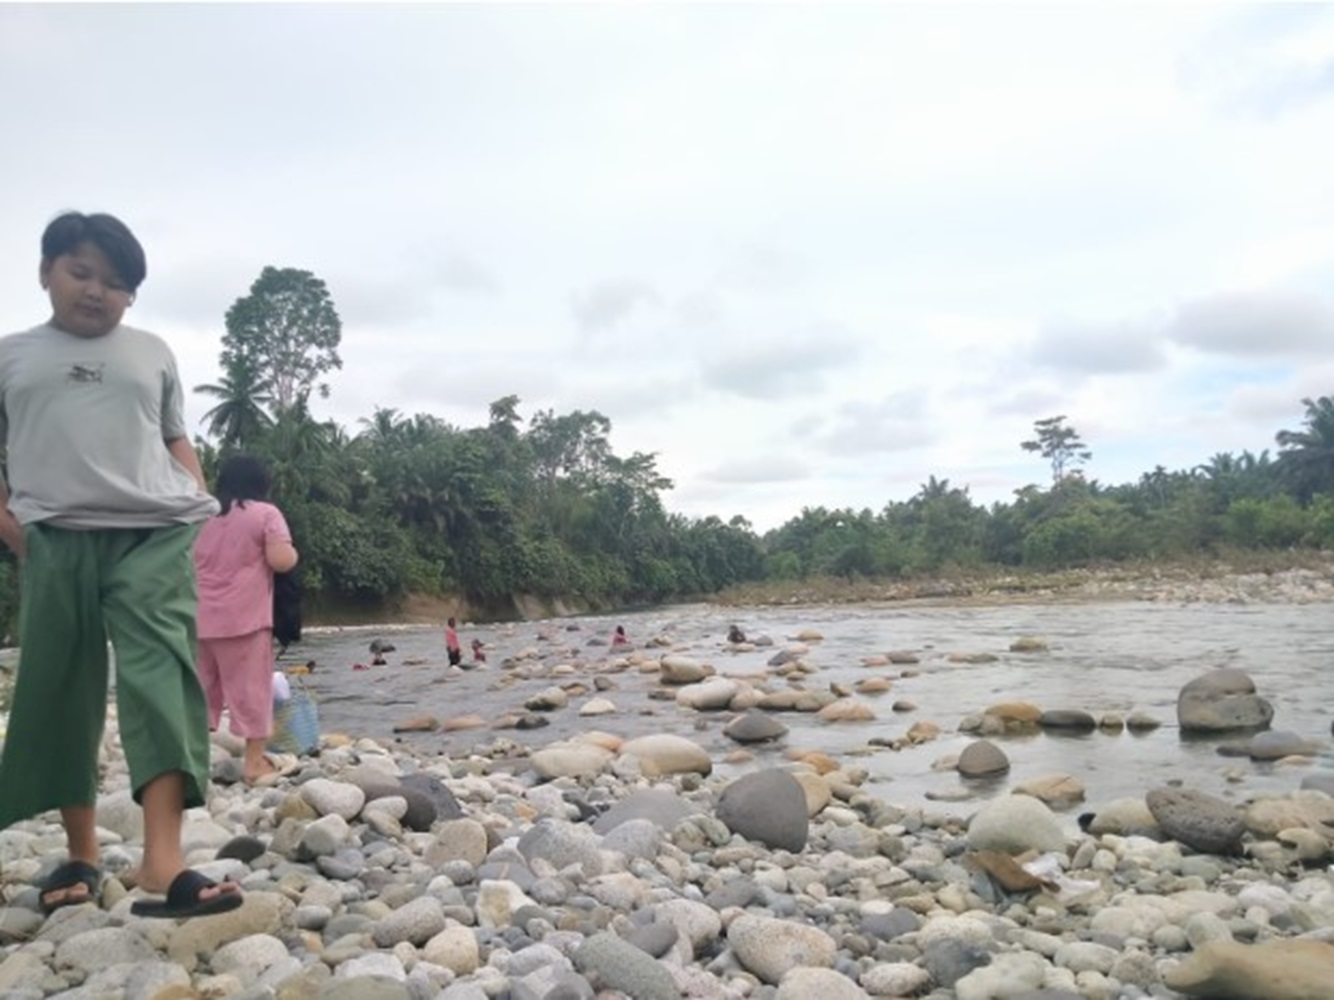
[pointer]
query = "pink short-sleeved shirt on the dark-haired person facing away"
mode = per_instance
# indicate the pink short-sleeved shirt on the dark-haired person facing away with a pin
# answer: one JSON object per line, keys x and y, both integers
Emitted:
{"x": 235, "y": 583}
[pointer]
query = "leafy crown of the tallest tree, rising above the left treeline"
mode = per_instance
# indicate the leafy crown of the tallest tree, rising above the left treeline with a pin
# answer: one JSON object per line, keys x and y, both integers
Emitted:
{"x": 287, "y": 333}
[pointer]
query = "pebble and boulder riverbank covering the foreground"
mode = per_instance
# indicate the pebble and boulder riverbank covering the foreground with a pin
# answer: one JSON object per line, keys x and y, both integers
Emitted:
{"x": 653, "y": 866}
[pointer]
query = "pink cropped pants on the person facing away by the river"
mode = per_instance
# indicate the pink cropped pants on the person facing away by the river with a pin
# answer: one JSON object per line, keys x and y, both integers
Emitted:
{"x": 238, "y": 673}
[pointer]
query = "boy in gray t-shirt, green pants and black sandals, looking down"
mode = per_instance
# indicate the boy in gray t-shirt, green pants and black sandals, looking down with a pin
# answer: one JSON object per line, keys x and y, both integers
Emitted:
{"x": 103, "y": 502}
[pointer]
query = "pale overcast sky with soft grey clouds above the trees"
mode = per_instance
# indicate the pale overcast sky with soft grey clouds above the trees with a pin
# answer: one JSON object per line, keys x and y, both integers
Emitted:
{"x": 810, "y": 255}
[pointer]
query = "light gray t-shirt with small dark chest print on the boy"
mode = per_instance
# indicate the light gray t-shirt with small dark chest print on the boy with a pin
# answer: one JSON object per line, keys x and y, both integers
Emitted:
{"x": 86, "y": 423}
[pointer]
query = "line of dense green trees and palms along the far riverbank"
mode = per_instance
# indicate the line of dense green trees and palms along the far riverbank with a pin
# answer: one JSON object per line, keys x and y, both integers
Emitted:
{"x": 413, "y": 505}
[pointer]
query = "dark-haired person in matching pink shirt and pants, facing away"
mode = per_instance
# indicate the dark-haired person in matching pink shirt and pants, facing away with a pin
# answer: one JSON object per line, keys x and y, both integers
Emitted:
{"x": 235, "y": 559}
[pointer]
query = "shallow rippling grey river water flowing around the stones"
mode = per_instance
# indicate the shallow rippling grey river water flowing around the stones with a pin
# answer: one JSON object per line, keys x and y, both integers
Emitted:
{"x": 1112, "y": 657}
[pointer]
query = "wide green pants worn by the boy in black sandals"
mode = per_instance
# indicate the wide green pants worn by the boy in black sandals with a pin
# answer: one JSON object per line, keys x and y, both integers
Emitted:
{"x": 135, "y": 587}
